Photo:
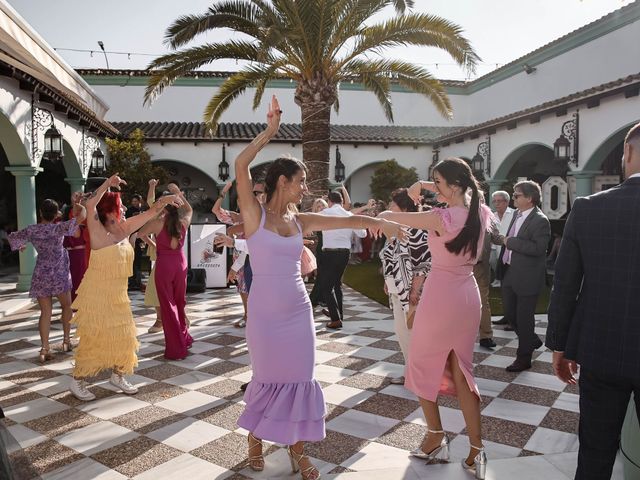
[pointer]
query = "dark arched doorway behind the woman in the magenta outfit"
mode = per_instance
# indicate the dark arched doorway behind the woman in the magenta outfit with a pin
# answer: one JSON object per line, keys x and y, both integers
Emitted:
{"x": 200, "y": 189}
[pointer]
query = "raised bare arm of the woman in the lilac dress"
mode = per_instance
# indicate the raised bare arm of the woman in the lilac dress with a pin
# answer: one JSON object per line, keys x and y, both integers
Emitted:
{"x": 250, "y": 207}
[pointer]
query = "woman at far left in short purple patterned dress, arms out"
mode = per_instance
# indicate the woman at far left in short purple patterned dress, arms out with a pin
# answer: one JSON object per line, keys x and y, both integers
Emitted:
{"x": 51, "y": 276}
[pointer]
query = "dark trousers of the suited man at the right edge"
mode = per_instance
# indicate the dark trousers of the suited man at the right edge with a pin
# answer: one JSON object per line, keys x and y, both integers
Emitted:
{"x": 603, "y": 405}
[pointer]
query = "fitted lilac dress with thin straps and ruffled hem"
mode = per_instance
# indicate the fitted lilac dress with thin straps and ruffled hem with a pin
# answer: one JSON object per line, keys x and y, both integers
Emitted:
{"x": 284, "y": 402}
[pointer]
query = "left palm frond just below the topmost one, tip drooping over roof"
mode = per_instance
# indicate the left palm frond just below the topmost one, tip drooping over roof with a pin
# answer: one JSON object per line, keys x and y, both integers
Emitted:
{"x": 174, "y": 65}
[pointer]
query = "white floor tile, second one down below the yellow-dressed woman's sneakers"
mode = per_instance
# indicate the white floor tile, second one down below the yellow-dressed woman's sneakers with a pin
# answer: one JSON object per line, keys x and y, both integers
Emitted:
{"x": 96, "y": 437}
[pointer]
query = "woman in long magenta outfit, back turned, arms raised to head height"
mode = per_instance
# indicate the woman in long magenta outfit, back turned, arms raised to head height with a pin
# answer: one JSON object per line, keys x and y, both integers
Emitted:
{"x": 171, "y": 274}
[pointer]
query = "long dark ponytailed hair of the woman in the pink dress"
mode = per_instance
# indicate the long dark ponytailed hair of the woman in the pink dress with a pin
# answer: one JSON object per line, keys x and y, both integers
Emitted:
{"x": 456, "y": 171}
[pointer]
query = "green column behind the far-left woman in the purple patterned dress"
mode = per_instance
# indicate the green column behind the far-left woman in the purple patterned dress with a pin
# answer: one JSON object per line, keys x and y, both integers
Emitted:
{"x": 26, "y": 209}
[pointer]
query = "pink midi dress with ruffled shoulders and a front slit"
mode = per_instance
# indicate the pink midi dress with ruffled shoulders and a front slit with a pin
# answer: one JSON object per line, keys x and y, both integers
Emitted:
{"x": 448, "y": 314}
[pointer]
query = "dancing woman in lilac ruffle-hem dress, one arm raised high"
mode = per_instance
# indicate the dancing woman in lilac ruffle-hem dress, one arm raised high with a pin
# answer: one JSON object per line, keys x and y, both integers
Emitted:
{"x": 284, "y": 403}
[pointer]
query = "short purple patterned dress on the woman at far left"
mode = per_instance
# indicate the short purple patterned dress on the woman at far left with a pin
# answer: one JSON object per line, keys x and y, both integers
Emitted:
{"x": 51, "y": 275}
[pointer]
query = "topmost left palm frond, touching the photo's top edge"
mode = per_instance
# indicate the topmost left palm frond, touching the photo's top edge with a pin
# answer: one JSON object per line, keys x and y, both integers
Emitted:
{"x": 238, "y": 15}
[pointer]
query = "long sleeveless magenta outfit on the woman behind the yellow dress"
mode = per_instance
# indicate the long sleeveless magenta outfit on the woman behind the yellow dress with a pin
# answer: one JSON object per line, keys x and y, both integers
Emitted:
{"x": 171, "y": 285}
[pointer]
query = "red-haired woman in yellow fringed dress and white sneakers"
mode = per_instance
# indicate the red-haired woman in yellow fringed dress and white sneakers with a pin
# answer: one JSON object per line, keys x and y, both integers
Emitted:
{"x": 104, "y": 320}
